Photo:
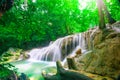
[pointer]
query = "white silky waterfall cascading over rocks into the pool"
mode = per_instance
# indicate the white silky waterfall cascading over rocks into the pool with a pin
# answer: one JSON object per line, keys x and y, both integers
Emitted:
{"x": 60, "y": 48}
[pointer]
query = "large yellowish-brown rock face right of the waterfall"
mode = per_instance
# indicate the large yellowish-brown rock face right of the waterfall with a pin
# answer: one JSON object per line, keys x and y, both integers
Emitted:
{"x": 104, "y": 57}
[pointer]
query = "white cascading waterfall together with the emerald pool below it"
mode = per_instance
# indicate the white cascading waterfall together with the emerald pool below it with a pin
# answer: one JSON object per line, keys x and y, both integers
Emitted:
{"x": 43, "y": 59}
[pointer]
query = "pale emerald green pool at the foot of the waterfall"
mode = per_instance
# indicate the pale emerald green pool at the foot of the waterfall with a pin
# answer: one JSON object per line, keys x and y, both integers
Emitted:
{"x": 33, "y": 69}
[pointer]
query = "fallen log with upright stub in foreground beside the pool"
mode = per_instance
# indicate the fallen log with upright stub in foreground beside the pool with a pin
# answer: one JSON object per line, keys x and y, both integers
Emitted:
{"x": 63, "y": 74}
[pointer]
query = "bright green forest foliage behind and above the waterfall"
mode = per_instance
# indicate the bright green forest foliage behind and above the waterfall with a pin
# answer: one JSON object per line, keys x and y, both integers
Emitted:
{"x": 46, "y": 20}
